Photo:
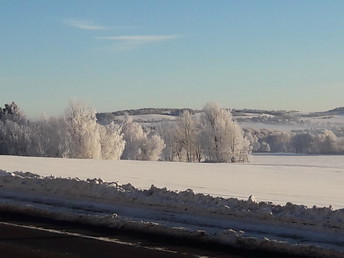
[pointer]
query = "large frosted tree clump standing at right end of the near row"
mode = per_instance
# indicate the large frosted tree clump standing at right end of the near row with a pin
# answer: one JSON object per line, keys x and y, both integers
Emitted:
{"x": 211, "y": 136}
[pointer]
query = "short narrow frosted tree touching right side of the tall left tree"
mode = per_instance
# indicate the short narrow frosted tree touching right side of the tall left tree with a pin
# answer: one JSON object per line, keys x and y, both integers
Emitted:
{"x": 112, "y": 141}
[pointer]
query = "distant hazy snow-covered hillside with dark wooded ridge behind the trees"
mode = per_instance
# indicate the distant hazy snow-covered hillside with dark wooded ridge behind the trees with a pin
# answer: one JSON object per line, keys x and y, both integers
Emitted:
{"x": 257, "y": 119}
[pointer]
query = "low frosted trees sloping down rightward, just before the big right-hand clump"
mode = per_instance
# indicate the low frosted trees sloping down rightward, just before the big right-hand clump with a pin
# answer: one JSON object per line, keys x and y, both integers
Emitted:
{"x": 140, "y": 145}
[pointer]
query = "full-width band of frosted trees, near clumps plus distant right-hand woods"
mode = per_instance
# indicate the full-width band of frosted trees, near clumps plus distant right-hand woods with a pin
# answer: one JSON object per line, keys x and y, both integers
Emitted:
{"x": 208, "y": 135}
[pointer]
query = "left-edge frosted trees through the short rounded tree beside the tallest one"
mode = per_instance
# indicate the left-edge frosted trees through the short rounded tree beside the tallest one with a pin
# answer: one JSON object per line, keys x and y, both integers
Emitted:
{"x": 75, "y": 134}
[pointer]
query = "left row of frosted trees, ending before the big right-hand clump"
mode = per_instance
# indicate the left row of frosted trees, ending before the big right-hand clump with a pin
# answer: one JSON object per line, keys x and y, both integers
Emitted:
{"x": 76, "y": 134}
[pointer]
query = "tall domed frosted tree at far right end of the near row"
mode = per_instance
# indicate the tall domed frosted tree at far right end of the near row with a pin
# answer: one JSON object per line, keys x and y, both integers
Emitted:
{"x": 221, "y": 137}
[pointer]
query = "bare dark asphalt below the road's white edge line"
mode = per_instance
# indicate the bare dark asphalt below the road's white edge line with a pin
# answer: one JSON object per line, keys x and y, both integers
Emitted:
{"x": 18, "y": 241}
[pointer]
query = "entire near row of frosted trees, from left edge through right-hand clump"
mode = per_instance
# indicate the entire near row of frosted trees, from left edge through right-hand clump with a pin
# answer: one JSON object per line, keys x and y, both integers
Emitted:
{"x": 213, "y": 137}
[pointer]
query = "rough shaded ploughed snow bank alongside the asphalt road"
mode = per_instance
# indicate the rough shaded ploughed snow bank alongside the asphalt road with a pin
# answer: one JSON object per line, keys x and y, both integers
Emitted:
{"x": 289, "y": 228}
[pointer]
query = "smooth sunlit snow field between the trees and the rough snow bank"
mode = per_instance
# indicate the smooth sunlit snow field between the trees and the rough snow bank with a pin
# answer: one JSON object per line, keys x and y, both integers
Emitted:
{"x": 307, "y": 180}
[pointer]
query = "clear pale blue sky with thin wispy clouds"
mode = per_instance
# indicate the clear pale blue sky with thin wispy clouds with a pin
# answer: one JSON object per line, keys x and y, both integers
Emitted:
{"x": 126, "y": 54}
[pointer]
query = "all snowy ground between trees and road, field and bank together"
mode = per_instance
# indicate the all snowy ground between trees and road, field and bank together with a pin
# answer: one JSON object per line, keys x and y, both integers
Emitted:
{"x": 223, "y": 217}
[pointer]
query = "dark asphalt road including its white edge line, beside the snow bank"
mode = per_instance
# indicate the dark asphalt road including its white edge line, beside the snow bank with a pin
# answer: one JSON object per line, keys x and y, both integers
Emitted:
{"x": 22, "y": 236}
